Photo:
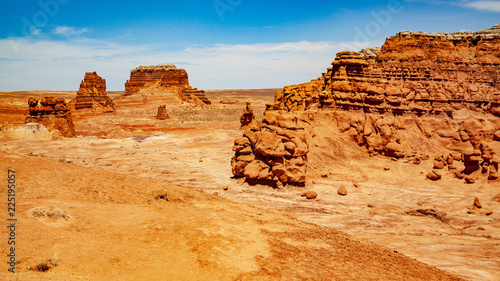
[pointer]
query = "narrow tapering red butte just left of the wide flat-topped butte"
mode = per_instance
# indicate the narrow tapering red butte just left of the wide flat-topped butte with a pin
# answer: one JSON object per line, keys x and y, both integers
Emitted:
{"x": 92, "y": 94}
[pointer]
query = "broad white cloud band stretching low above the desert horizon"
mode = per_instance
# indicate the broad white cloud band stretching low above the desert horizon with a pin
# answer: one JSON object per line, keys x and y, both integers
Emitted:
{"x": 60, "y": 65}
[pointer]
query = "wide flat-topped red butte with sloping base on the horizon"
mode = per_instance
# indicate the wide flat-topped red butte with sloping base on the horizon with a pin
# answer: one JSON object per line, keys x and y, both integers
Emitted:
{"x": 167, "y": 78}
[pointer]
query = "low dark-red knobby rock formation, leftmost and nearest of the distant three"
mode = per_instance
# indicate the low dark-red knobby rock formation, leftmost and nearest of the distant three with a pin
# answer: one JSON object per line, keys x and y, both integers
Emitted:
{"x": 53, "y": 113}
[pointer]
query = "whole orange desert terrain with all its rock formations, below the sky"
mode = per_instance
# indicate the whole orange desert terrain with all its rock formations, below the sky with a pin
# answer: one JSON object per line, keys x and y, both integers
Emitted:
{"x": 383, "y": 168}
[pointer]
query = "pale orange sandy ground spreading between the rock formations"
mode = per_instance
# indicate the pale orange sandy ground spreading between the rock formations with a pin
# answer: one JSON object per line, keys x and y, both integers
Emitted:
{"x": 250, "y": 238}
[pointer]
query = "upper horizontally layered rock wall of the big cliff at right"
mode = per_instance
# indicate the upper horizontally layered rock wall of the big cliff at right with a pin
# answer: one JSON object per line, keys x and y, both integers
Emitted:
{"x": 414, "y": 73}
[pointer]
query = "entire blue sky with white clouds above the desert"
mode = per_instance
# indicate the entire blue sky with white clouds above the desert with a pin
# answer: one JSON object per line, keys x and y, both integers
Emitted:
{"x": 222, "y": 44}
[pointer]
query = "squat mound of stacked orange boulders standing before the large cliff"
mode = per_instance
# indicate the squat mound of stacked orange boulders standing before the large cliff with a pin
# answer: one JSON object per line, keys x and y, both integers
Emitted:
{"x": 274, "y": 151}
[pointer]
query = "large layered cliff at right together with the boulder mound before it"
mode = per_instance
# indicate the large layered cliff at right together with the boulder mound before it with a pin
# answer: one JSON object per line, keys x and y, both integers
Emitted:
{"x": 418, "y": 94}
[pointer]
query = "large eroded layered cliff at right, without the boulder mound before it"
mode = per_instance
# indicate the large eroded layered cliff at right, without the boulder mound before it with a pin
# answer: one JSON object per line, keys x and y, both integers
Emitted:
{"x": 420, "y": 94}
